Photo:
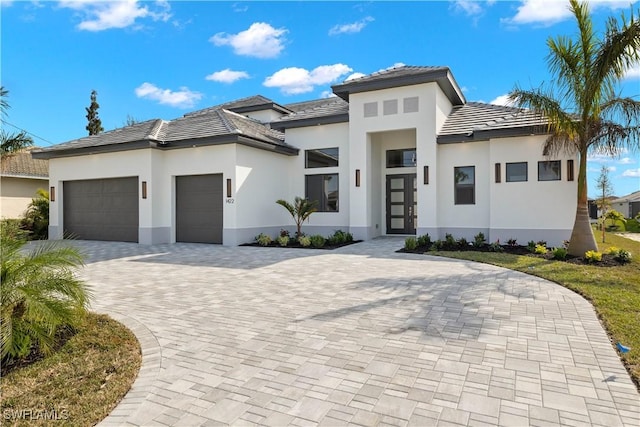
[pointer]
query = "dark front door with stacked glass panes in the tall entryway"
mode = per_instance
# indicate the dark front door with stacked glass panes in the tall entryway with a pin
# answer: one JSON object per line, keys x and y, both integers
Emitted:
{"x": 401, "y": 204}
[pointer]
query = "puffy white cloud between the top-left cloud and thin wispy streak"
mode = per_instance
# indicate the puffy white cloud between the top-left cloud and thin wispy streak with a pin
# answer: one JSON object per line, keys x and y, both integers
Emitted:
{"x": 260, "y": 40}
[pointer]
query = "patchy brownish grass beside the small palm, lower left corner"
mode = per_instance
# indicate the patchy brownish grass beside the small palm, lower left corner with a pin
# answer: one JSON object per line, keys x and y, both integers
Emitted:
{"x": 77, "y": 385}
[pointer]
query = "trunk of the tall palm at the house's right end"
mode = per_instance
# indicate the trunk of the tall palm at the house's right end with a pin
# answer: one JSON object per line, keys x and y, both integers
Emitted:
{"x": 582, "y": 239}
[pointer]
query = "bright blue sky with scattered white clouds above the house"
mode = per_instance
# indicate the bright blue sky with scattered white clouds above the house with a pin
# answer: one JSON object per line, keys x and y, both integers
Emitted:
{"x": 159, "y": 59}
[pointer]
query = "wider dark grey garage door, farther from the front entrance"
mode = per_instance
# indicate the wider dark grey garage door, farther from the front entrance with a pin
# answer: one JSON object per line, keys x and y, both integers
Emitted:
{"x": 101, "y": 209}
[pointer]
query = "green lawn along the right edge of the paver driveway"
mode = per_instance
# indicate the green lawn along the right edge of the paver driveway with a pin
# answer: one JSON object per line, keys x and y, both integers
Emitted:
{"x": 613, "y": 291}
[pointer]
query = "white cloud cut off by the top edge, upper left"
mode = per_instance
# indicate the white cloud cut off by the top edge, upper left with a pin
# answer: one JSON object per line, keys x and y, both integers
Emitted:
{"x": 104, "y": 15}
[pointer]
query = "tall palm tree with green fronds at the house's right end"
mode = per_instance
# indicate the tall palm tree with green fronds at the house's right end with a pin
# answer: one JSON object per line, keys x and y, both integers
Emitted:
{"x": 583, "y": 110}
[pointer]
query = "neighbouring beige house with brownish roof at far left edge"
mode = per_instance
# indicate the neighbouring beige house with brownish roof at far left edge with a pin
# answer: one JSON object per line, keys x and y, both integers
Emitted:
{"x": 21, "y": 177}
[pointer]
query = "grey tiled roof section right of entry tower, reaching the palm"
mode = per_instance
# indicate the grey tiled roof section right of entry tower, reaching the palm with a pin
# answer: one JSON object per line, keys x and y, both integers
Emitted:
{"x": 477, "y": 121}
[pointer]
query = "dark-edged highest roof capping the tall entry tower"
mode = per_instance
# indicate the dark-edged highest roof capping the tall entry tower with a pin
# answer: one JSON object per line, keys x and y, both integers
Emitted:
{"x": 403, "y": 76}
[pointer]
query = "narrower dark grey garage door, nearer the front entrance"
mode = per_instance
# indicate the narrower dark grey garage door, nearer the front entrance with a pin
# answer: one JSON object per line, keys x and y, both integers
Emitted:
{"x": 199, "y": 208}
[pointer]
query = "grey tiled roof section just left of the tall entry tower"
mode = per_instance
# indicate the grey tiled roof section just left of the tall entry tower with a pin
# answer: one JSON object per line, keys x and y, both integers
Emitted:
{"x": 317, "y": 112}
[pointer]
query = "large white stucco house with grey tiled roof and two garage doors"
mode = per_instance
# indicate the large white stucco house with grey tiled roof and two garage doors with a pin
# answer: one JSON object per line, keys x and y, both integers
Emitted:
{"x": 398, "y": 152}
